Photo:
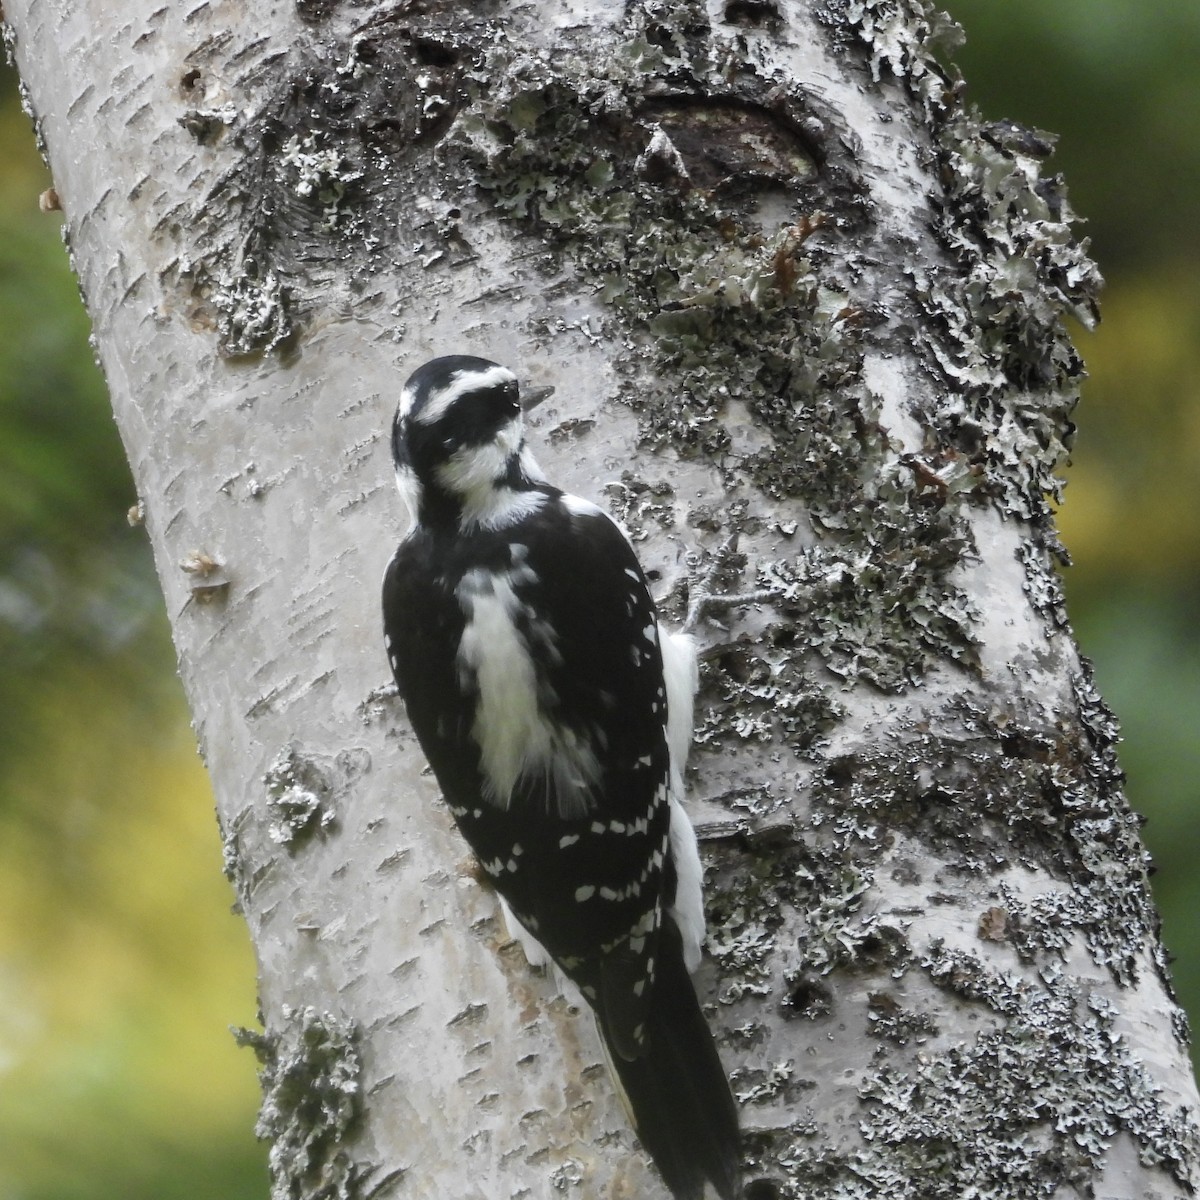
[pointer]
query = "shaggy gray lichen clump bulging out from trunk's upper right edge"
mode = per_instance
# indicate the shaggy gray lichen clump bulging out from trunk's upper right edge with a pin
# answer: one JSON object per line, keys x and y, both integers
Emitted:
{"x": 1006, "y": 349}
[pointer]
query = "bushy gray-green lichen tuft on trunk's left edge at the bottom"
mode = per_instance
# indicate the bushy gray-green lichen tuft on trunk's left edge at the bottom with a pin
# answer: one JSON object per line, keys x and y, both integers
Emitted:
{"x": 311, "y": 1075}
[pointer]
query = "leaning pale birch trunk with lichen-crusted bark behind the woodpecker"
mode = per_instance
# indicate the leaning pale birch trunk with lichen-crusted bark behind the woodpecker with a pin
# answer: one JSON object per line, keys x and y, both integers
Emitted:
{"x": 788, "y": 289}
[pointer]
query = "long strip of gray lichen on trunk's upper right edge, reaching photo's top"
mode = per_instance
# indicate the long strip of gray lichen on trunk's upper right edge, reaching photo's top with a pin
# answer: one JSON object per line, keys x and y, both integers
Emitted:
{"x": 1011, "y": 375}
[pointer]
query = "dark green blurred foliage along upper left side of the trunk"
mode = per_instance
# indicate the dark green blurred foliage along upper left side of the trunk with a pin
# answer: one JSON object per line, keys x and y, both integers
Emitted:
{"x": 75, "y": 584}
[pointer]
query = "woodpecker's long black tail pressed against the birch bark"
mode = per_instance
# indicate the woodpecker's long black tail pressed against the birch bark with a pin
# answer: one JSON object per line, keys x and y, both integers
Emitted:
{"x": 676, "y": 1093}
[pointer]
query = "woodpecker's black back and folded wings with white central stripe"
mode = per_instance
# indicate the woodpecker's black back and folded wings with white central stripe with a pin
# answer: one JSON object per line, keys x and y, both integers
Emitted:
{"x": 577, "y": 836}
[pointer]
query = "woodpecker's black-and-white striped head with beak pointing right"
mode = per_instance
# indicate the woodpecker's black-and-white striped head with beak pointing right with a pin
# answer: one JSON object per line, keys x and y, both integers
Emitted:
{"x": 458, "y": 441}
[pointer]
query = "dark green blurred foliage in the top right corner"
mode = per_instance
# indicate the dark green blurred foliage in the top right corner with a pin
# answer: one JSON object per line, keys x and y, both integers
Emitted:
{"x": 1118, "y": 82}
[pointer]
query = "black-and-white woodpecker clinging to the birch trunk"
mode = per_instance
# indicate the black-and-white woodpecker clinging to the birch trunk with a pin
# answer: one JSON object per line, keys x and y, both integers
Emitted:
{"x": 556, "y": 715}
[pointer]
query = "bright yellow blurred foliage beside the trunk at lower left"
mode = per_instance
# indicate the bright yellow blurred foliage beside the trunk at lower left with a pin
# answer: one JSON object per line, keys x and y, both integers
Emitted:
{"x": 121, "y": 963}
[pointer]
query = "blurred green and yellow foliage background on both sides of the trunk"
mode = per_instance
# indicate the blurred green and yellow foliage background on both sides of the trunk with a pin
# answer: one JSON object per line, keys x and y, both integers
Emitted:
{"x": 121, "y": 964}
